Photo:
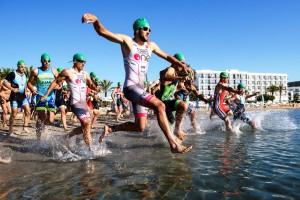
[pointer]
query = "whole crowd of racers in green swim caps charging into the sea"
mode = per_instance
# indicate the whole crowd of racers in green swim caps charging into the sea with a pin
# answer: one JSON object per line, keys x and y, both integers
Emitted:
{"x": 48, "y": 90}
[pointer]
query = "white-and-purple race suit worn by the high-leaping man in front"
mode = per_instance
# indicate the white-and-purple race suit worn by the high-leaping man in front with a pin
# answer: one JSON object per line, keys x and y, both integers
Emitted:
{"x": 136, "y": 67}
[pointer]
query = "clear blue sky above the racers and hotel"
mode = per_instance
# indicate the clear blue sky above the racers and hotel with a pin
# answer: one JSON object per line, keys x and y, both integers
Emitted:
{"x": 247, "y": 35}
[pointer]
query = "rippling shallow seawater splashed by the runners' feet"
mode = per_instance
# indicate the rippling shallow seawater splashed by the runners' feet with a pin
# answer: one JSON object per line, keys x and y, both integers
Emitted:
{"x": 264, "y": 164}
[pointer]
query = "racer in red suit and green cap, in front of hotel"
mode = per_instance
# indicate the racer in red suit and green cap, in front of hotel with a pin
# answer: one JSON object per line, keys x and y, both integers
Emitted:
{"x": 221, "y": 109}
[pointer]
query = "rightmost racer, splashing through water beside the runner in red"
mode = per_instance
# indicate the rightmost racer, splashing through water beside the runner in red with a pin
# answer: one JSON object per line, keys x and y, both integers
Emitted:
{"x": 239, "y": 109}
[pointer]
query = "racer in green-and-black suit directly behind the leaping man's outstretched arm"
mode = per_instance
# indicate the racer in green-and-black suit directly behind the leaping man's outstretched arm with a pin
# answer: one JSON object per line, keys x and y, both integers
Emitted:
{"x": 169, "y": 80}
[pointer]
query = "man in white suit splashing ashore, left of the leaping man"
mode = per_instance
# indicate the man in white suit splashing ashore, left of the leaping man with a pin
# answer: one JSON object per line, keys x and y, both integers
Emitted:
{"x": 77, "y": 80}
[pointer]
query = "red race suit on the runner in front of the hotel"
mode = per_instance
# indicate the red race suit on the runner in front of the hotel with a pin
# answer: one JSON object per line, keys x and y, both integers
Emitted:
{"x": 220, "y": 108}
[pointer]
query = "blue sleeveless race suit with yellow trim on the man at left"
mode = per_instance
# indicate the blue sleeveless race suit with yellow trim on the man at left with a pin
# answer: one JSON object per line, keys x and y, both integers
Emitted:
{"x": 44, "y": 79}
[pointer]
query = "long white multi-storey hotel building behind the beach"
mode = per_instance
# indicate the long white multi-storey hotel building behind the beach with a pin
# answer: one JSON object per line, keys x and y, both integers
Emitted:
{"x": 206, "y": 80}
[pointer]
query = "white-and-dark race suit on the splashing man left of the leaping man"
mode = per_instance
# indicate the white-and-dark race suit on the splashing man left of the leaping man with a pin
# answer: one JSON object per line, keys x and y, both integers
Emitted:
{"x": 77, "y": 87}
